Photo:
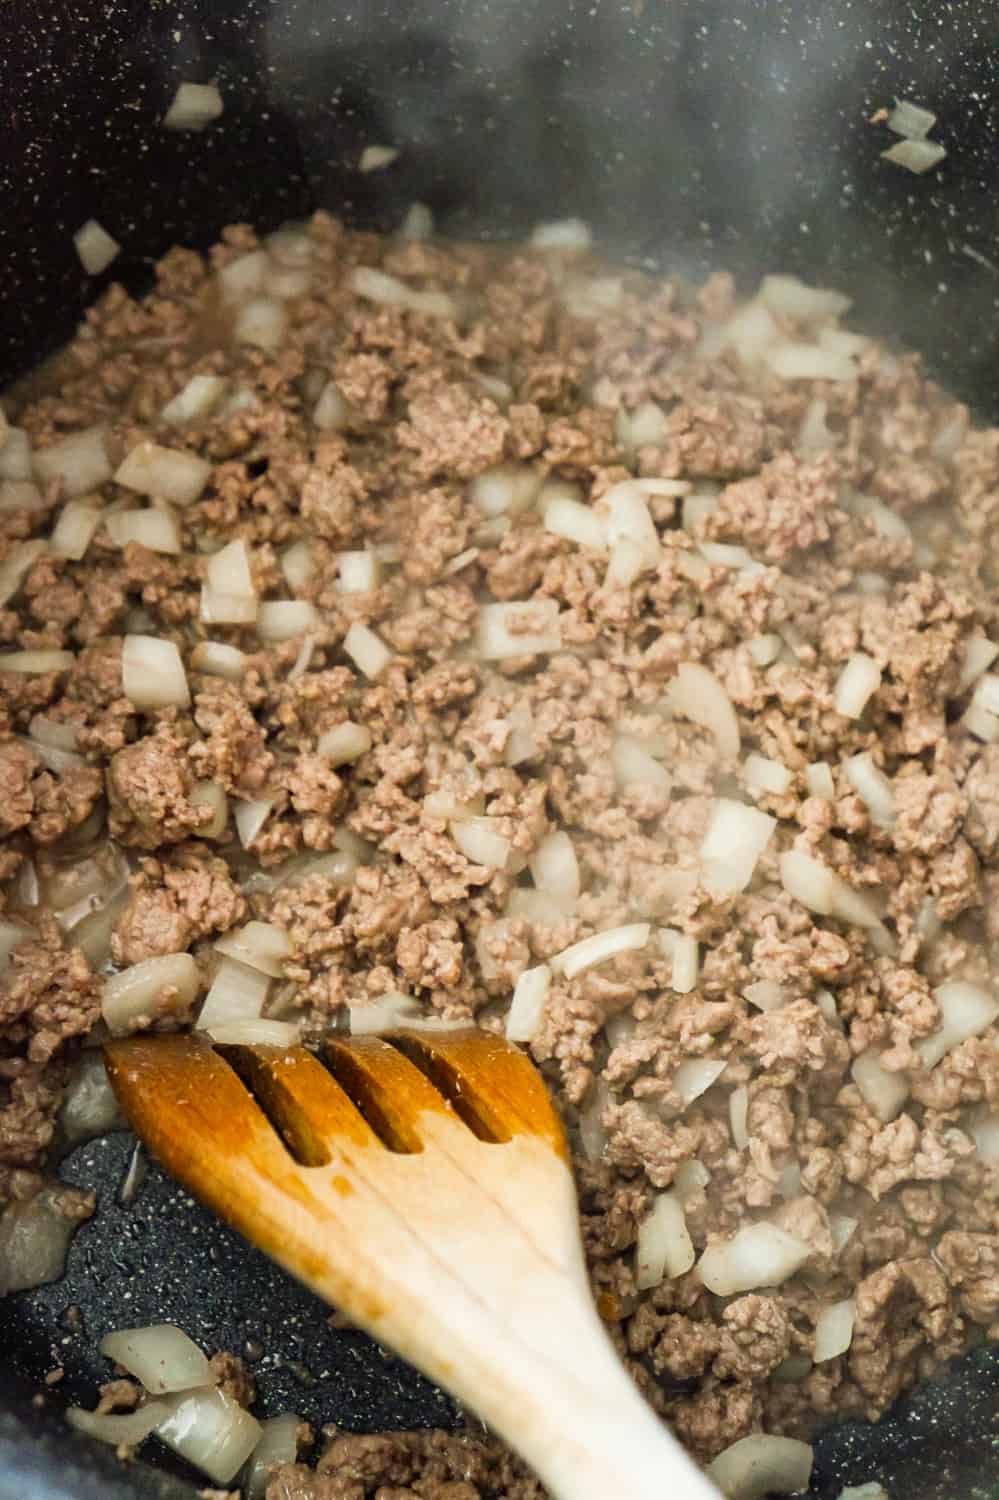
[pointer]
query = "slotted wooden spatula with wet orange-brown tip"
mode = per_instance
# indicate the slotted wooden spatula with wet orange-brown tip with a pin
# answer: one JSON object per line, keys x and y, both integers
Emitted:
{"x": 421, "y": 1184}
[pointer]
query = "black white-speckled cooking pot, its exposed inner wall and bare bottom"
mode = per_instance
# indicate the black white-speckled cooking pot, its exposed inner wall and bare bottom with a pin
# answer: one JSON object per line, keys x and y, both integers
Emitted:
{"x": 691, "y": 134}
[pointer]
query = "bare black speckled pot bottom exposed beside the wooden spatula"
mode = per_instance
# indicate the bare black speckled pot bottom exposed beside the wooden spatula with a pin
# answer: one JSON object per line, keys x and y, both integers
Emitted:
{"x": 164, "y": 1259}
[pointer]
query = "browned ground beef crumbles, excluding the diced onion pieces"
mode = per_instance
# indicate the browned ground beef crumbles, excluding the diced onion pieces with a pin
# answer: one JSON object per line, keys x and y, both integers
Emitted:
{"x": 427, "y": 416}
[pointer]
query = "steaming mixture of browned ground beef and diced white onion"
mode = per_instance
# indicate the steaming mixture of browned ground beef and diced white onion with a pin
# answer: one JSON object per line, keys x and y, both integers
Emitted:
{"x": 383, "y": 619}
